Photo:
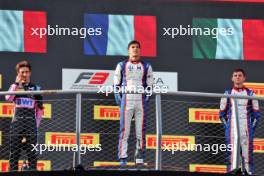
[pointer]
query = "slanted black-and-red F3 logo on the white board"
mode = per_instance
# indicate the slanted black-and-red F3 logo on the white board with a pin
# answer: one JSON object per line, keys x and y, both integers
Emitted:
{"x": 92, "y": 77}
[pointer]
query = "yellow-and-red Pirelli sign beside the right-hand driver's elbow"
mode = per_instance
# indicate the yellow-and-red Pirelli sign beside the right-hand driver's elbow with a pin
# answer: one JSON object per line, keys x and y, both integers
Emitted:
{"x": 201, "y": 115}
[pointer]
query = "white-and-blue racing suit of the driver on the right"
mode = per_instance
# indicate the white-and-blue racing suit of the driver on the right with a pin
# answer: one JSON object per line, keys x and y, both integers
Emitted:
{"x": 248, "y": 116}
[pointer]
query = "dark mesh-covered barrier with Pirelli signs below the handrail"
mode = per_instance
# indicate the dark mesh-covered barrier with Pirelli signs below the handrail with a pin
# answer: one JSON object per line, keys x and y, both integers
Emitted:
{"x": 194, "y": 126}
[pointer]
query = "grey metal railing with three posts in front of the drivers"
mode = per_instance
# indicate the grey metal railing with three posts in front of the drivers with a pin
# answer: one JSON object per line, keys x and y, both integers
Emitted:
{"x": 158, "y": 155}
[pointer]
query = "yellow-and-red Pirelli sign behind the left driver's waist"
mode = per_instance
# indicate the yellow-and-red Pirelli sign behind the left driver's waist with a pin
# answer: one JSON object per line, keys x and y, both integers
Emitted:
{"x": 7, "y": 110}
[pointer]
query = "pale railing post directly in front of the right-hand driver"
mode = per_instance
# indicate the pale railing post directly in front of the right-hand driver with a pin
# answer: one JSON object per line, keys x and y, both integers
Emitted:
{"x": 236, "y": 147}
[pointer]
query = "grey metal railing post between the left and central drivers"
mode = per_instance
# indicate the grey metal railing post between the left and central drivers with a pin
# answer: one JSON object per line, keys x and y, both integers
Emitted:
{"x": 78, "y": 127}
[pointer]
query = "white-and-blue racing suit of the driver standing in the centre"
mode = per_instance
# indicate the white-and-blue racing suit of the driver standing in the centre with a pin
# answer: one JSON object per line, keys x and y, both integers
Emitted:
{"x": 128, "y": 75}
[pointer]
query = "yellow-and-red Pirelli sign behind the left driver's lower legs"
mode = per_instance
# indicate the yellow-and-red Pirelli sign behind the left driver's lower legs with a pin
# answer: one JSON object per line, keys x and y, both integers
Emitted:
{"x": 42, "y": 165}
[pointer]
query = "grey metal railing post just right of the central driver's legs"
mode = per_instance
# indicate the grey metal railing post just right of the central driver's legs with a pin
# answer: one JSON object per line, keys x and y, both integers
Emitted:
{"x": 158, "y": 131}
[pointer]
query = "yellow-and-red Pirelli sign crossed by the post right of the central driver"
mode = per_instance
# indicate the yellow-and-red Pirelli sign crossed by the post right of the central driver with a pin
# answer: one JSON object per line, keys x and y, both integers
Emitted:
{"x": 169, "y": 141}
